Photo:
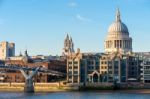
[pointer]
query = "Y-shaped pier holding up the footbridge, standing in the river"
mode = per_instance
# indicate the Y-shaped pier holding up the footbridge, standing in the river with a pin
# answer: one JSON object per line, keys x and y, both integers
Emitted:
{"x": 29, "y": 87}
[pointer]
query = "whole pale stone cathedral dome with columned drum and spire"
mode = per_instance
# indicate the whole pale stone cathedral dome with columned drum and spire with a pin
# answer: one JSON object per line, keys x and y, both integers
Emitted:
{"x": 118, "y": 39}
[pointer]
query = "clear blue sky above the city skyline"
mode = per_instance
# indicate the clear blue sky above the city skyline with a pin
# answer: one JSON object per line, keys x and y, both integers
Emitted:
{"x": 41, "y": 25}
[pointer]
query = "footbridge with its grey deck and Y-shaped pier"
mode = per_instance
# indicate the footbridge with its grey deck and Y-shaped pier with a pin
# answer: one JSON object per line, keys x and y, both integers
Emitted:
{"x": 29, "y": 87}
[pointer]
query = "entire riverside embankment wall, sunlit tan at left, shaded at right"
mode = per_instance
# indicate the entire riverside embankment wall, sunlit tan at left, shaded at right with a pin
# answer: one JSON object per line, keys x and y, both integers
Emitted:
{"x": 60, "y": 86}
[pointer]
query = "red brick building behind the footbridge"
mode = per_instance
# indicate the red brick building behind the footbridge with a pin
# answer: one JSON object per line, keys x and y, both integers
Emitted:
{"x": 16, "y": 76}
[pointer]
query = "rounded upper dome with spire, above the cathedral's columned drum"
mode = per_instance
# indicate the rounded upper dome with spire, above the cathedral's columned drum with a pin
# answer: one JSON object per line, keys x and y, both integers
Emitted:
{"x": 118, "y": 26}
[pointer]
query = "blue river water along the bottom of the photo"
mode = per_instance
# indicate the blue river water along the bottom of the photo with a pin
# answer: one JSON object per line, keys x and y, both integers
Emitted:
{"x": 75, "y": 95}
